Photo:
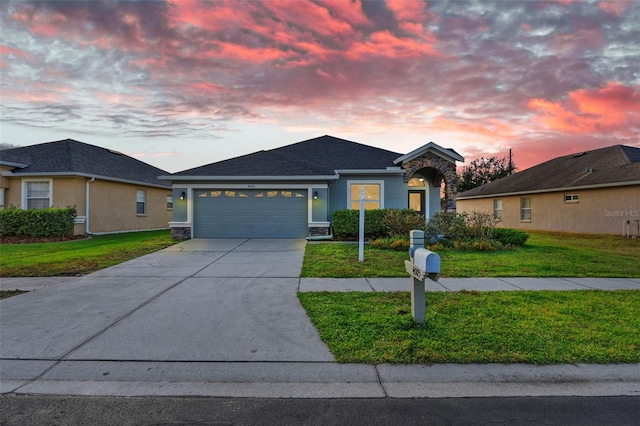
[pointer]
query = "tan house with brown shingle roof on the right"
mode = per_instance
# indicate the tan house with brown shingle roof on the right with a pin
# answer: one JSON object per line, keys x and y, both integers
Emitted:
{"x": 590, "y": 192}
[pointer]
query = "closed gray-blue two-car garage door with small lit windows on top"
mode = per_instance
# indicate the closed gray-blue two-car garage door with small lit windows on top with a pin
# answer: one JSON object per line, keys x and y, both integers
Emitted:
{"x": 252, "y": 213}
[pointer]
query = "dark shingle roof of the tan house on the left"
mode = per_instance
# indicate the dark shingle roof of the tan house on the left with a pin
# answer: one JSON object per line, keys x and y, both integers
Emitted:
{"x": 70, "y": 156}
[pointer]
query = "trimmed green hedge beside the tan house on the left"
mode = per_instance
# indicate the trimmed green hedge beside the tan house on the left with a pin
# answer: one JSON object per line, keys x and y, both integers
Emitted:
{"x": 51, "y": 222}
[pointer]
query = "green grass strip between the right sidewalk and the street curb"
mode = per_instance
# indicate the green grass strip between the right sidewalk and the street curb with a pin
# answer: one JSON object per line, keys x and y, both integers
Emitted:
{"x": 541, "y": 327}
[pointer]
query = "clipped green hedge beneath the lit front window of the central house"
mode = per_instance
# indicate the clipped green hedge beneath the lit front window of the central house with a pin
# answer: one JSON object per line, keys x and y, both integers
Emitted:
{"x": 377, "y": 223}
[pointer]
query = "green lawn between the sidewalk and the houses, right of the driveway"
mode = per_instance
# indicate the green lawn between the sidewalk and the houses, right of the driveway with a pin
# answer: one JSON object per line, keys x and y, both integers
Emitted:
{"x": 546, "y": 254}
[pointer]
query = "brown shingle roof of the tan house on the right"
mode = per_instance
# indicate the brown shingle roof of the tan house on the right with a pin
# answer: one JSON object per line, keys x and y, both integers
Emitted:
{"x": 611, "y": 165}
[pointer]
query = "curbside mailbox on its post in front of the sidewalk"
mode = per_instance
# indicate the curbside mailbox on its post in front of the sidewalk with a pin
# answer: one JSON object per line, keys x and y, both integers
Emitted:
{"x": 424, "y": 263}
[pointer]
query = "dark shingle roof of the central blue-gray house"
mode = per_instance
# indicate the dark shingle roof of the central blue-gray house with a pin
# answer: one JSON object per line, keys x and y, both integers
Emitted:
{"x": 318, "y": 156}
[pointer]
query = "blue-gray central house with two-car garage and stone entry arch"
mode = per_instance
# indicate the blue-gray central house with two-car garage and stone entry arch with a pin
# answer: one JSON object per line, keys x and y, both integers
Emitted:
{"x": 291, "y": 192}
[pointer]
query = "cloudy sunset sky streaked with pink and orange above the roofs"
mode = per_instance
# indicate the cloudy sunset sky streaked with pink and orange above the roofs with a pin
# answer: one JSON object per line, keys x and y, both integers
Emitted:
{"x": 181, "y": 83}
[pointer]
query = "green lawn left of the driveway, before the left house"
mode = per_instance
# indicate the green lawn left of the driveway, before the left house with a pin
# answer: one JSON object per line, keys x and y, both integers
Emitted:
{"x": 80, "y": 256}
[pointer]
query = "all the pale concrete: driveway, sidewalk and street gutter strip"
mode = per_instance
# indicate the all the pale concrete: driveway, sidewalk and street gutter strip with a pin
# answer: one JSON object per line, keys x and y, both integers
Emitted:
{"x": 221, "y": 318}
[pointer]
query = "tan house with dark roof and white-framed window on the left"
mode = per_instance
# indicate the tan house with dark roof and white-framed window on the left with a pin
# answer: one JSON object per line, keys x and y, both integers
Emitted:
{"x": 112, "y": 192}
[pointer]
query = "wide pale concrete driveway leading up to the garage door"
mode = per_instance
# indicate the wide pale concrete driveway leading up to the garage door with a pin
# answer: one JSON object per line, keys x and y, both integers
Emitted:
{"x": 200, "y": 300}
